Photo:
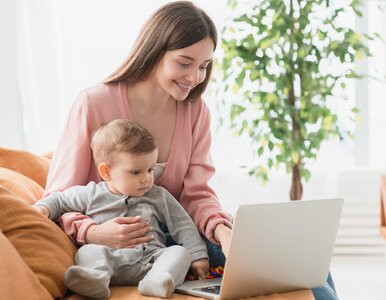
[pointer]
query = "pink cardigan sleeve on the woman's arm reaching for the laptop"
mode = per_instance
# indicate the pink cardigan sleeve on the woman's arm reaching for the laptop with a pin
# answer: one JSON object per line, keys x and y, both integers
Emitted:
{"x": 197, "y": 197}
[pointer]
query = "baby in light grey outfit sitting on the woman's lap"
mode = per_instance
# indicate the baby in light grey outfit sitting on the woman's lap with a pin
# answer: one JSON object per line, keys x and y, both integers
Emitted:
{"x": 125, "y": 155}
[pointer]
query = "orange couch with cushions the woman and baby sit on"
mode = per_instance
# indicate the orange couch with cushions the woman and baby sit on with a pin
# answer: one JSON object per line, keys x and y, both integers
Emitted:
{"x": 34, "y": 251}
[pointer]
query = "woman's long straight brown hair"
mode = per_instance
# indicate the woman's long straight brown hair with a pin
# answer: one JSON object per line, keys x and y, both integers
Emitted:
{"x": 174, "y": 26}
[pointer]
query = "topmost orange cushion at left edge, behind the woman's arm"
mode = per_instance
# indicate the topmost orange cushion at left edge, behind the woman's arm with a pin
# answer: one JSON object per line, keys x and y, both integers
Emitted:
{"x": 26, "y": 163}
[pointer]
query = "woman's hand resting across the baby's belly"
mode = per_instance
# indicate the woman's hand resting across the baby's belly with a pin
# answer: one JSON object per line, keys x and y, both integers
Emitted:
{"x": 120, "y": 232}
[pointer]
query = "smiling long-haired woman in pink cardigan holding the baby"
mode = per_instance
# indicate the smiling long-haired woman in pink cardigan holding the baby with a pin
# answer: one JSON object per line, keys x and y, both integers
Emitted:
{"x": 158, "y": 86}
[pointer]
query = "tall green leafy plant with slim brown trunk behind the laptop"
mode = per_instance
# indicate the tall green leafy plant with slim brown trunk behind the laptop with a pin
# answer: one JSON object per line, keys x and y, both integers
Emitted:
{"x": 284, "y": 63}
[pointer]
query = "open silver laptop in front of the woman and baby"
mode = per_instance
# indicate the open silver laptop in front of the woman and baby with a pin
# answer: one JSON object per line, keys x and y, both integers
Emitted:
{"x": 275, "y": 247}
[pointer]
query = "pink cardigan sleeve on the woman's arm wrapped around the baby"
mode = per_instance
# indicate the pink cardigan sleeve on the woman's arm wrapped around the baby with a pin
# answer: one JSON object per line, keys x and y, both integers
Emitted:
{"x": 71, "y": 164}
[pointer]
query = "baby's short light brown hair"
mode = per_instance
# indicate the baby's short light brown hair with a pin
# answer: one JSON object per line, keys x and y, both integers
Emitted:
{"x": 120, "y": 136}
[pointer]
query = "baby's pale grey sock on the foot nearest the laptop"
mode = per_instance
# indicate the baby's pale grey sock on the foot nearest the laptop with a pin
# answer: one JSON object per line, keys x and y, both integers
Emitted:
{"x": 159, "y": 285}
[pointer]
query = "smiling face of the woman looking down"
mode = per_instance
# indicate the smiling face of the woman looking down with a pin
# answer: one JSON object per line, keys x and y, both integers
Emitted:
{"x": 179, "y": 71}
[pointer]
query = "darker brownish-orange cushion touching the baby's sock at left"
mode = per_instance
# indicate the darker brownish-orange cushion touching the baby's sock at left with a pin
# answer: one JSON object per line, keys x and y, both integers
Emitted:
{"x": 42, "y": 245}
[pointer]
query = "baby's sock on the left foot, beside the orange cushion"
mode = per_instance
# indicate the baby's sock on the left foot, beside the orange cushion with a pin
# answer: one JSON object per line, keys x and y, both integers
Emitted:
{"x": 88, "y": 282}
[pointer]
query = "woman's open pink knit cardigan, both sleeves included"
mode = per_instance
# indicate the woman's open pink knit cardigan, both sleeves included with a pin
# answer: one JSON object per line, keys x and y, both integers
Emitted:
{"x": 186, "y": 175}
